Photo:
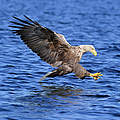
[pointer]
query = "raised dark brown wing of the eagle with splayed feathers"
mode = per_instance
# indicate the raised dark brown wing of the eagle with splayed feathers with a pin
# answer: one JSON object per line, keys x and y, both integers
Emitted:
{"x": 49, "y": 45}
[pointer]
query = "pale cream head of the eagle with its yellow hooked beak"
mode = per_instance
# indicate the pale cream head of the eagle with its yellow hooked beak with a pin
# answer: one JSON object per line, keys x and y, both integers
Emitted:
{"x": 88, "y": 48}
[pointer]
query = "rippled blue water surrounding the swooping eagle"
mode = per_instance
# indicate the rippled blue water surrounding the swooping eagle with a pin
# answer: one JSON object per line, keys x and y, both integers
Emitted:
{"x": 22, "y": 97}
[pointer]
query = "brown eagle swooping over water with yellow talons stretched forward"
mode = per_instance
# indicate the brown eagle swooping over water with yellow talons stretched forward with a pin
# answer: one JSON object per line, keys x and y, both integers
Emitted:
{"x": 53, "y": 48}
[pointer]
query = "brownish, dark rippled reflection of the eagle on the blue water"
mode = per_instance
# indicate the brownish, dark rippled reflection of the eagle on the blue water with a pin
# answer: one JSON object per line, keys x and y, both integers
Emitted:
{"x": 49, "y": 96}
